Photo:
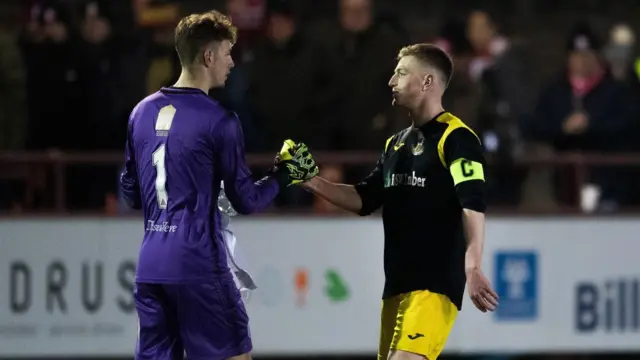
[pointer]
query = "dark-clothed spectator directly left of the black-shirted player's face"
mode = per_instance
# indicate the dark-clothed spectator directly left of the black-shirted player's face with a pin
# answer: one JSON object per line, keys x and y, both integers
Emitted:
{"x": 365, "y": 55}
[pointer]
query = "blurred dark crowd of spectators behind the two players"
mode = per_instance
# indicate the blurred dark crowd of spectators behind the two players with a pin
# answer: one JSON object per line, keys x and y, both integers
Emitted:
{"x": 71, "y": 71}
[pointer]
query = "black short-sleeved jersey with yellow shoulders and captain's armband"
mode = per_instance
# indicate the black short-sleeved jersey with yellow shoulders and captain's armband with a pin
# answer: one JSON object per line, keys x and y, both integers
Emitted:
{"x": 423, "y": 180}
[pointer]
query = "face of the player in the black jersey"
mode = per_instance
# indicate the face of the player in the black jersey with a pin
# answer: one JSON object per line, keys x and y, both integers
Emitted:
{"x": 408, "y": 82}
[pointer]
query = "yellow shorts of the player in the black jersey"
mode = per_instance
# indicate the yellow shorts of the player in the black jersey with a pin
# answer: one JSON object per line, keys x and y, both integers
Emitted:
{"x": 418, "y": 322}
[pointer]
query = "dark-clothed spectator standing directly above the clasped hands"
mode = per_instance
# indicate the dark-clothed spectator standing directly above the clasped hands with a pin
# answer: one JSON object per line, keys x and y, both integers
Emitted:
{"x": 290, "y": 88}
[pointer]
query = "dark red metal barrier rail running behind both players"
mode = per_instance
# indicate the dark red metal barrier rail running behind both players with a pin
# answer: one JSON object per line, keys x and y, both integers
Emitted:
{"x": 18, "y": 165}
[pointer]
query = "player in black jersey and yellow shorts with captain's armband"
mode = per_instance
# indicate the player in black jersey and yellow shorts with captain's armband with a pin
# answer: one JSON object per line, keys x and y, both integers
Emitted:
{"x": 430, "y": 184}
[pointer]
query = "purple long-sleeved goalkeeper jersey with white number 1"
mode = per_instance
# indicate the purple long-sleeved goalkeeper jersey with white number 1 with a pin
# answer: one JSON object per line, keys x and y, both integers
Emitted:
{"x": 180, "y": 145}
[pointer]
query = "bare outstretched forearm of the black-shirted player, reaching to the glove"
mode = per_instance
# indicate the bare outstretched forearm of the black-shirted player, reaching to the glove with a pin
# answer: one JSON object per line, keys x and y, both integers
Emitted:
{"x": 341, "y": 195}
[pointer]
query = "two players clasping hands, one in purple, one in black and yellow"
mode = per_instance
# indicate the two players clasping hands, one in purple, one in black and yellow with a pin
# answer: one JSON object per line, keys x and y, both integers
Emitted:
{"x": 175, "y": 168}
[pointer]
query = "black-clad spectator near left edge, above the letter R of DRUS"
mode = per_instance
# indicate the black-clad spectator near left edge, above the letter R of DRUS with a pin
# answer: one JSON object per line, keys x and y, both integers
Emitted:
{"x": 51, "y": 53}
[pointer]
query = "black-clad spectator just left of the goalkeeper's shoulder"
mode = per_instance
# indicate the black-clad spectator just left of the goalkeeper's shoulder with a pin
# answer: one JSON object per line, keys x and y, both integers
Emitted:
{"x": 112, "y": 69}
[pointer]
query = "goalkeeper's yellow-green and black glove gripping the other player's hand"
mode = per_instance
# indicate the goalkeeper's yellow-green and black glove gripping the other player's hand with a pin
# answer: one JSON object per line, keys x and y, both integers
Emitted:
{"x": 297, "y": 161}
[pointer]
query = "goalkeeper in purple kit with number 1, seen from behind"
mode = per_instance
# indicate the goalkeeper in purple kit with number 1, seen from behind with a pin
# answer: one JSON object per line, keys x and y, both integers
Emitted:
{"x": 181, "y": 145}
